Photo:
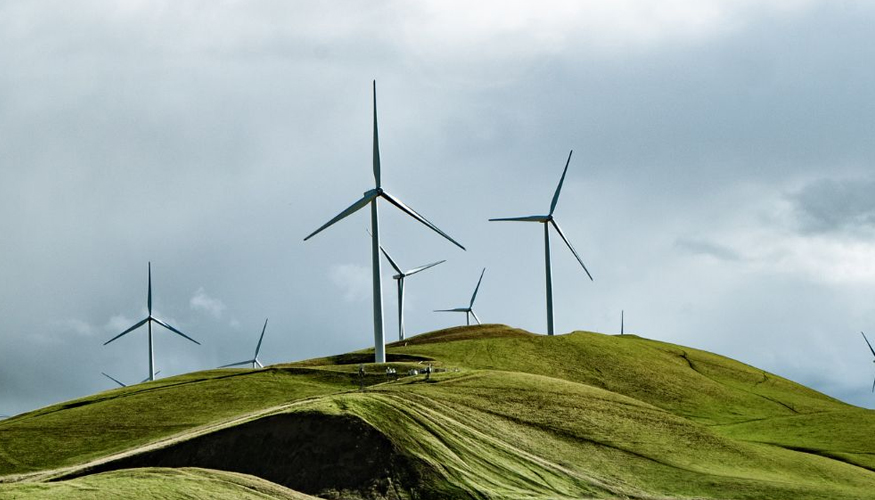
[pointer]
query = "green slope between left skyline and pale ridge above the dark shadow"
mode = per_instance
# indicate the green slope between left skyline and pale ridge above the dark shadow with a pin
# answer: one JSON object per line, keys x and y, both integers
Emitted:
{"x": 123, "y": 418}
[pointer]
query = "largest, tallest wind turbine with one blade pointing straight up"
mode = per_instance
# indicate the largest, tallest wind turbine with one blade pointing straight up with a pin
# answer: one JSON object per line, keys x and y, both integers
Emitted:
{"x": 370, "y": 197}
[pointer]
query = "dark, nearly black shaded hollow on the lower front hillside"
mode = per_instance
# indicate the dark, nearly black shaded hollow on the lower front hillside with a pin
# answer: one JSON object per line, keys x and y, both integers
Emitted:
{"x": 332, "y": 457}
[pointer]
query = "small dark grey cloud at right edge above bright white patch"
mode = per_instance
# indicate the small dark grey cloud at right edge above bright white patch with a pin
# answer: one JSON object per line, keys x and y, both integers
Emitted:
{"x": 830, "y": 206}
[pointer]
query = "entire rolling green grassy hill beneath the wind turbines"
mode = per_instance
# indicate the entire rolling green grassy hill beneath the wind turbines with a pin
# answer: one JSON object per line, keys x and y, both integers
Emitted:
{"x": 515, "y": 415}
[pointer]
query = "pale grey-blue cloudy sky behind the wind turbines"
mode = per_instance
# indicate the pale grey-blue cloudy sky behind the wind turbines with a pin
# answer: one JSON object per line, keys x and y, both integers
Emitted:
{"x": 720, "y": 190}
